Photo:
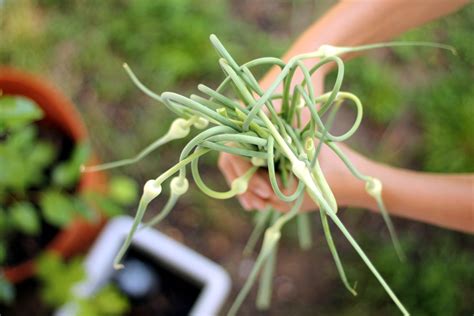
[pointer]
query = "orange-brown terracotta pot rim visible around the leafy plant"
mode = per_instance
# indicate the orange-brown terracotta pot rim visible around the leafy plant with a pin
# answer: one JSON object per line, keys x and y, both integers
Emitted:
{"x": 60, "y": 112}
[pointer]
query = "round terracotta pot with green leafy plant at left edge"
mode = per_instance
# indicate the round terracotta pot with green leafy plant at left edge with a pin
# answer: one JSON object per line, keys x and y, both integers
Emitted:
{"x": 43, "y": 143}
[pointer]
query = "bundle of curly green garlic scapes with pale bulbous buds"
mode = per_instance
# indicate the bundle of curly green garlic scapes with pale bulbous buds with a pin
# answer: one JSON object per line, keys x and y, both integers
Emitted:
{"x": 269, "y": 139}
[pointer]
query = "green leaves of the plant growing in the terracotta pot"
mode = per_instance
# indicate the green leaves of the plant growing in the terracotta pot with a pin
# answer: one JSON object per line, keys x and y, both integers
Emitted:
{"x": 25, "y": 161}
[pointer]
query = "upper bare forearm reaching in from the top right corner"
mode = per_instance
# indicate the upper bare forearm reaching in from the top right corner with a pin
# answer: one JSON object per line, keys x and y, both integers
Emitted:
{"x": 352, "y": 23}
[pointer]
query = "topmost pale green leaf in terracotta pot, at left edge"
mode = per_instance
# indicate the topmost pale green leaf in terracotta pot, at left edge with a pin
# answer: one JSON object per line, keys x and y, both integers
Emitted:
{"x": 17, "y": 111}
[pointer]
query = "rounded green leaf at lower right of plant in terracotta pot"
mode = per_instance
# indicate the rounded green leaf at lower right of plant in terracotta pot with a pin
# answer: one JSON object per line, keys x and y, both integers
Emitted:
{"x": 57, "y": 208}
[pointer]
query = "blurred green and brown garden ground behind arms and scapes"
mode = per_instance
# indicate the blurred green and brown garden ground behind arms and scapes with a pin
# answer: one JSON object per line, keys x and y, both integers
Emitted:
{"x": 419, "y": 114}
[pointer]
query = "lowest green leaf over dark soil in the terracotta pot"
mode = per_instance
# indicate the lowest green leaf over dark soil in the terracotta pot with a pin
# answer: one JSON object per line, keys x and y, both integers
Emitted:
{"x": 25, "y": 218}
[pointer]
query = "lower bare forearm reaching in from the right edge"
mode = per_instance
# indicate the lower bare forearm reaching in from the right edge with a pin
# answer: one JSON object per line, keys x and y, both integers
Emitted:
{"x": 438, "y": 199}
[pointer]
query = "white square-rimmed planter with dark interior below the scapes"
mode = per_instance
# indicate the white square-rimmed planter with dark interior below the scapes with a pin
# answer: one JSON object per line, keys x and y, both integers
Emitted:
{"x": 161, "y": 276}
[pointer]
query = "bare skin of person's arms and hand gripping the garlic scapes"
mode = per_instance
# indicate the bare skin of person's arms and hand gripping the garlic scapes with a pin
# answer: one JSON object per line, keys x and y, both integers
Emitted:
{"x": 445, "y": 200}
